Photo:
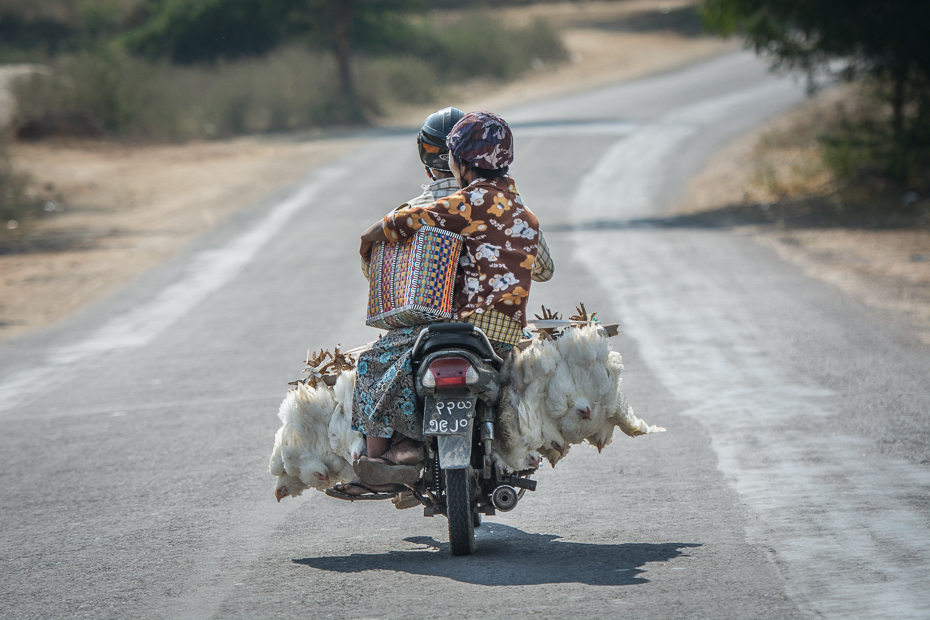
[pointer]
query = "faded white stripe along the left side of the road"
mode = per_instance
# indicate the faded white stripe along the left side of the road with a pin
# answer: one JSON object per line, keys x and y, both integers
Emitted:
{"x": 208, "y": 272}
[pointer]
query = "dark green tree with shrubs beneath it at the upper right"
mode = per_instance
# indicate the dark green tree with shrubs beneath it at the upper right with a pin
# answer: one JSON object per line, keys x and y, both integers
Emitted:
{"x": 884, "y": 134}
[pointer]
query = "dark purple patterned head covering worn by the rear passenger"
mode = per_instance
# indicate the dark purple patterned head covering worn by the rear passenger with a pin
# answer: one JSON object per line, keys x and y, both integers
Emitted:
{"x": 483, "y": 139}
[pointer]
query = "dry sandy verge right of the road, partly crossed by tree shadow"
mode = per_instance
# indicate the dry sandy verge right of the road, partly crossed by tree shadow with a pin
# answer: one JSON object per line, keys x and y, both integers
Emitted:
{"x": 772, "y": 185}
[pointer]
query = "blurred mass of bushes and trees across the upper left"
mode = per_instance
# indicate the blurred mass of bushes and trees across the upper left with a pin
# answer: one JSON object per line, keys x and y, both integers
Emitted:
{"x": 182, "y": 69}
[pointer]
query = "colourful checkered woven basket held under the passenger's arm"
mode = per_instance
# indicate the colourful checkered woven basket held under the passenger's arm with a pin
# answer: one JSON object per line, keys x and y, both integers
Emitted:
{"x": 412, "y": 282}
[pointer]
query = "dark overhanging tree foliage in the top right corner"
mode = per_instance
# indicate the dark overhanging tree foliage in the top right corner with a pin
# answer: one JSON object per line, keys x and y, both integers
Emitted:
{"x": 886, "y": 40}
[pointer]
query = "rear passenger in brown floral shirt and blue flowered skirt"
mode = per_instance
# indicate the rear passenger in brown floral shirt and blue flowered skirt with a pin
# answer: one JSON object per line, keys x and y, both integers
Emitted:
{"x": 502, "y": 253}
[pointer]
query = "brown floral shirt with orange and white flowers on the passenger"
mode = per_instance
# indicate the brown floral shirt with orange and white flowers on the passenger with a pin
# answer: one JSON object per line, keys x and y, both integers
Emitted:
{"x": 499, "y": 252}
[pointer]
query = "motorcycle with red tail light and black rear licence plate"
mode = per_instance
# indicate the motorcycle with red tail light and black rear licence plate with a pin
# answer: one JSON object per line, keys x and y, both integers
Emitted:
{"x": 458, "y": 385}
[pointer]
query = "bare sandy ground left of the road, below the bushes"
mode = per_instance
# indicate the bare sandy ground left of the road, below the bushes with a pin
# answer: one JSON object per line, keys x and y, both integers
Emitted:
{"x": 128, "y": 209}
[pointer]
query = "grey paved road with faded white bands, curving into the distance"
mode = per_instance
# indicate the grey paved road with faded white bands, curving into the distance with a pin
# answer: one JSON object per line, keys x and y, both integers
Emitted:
{"x": 792, "y": 481}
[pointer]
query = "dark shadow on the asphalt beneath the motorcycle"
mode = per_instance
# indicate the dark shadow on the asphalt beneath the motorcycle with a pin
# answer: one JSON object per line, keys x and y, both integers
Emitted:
{"x": 507, "y": 556}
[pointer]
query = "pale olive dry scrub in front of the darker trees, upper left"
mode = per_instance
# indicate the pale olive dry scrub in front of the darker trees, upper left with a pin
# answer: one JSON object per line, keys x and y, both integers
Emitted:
{"x": 106, "y": 91}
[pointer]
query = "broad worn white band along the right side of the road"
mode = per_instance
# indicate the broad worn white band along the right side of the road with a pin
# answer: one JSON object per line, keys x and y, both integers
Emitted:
{"x": 846, "y": 533}
